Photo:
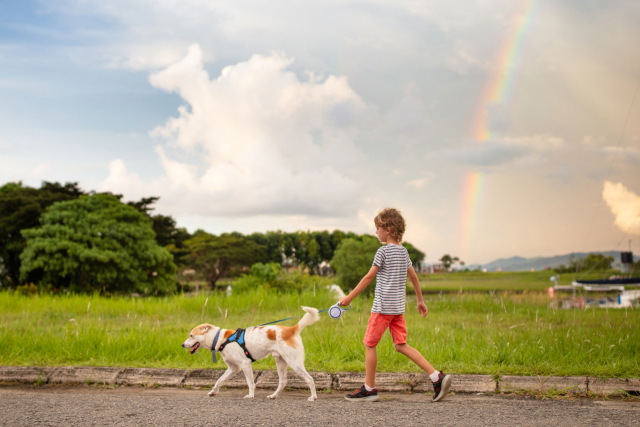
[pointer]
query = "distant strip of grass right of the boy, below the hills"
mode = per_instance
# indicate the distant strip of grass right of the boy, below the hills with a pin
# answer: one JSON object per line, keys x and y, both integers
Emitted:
{"x": 503, "y": 281}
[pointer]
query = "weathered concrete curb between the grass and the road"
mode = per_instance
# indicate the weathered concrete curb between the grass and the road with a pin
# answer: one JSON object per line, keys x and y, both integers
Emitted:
{"x": 343, "y": 381}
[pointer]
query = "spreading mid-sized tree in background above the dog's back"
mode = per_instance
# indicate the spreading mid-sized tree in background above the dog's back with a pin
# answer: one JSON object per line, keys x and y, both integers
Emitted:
{"x": 215, "y": 256}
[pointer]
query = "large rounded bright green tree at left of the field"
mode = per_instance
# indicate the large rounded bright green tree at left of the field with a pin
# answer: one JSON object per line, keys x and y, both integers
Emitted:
{"x": 96, "y": 243}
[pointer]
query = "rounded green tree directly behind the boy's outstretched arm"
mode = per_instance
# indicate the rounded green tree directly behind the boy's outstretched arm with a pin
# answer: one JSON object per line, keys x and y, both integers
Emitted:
{"x": 352, "y": 261}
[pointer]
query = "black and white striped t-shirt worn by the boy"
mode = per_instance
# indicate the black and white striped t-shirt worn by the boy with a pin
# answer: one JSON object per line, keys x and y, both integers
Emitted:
{"x": 393, "y": 262}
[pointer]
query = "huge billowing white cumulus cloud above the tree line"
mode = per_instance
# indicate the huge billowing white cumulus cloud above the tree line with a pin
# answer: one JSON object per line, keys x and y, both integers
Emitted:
{"x": 253, "y": 141}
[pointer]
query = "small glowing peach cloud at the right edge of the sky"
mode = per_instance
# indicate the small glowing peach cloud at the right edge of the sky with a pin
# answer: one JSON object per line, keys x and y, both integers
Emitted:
{"x": 625, "y": 205}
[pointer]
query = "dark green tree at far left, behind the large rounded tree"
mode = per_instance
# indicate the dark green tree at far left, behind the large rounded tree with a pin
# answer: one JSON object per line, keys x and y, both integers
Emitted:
{"x": 20, "y": 208}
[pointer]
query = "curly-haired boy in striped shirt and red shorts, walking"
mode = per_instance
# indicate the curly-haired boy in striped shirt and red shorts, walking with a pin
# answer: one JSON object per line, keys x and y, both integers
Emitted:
{"x": 390, "y": 267}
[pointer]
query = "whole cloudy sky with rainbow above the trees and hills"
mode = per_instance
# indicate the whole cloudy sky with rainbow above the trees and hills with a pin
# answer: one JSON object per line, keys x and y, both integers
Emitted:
{"x": 497, "y": 127}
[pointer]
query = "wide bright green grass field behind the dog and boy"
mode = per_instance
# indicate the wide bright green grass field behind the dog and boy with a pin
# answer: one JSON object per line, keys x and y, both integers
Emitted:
{"x": 463, "y": 333}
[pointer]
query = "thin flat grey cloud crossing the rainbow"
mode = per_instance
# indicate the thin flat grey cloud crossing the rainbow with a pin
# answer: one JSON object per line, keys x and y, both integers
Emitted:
{"x": 504, "y": 150}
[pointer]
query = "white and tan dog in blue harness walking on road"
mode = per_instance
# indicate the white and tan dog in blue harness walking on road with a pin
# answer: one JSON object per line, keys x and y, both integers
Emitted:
{"x": 283, "y": 342}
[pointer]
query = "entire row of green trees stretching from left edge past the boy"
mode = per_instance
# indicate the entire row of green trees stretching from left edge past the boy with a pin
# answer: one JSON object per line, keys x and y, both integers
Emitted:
{"x": 59, "y": 237}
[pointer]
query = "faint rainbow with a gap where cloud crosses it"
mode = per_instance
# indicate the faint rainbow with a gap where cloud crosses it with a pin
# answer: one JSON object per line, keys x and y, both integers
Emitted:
{"x": 498, "y": 90}
